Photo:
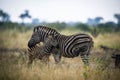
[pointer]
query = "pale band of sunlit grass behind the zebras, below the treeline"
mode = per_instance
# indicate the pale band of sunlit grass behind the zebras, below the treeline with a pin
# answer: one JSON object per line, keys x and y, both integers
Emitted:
{"x": 16, "y": 39}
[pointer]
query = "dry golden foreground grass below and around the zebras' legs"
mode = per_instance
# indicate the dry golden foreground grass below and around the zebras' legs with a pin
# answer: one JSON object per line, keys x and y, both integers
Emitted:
{"x": 13, "y": 67}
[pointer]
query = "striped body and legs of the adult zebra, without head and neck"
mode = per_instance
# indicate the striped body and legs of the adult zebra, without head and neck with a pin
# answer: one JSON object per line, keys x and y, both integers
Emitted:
{"x": 71, "y": 46}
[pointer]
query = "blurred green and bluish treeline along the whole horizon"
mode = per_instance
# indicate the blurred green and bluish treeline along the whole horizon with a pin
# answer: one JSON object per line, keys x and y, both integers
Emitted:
{"x": 94, "y": 26}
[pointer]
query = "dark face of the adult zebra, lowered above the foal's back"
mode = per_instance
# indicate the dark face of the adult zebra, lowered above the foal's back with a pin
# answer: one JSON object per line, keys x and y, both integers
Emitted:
{"x": 35, "y": 39}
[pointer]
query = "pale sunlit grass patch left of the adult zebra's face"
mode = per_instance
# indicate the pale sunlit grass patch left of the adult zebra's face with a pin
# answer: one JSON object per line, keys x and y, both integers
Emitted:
{"x": 14, "y": 38}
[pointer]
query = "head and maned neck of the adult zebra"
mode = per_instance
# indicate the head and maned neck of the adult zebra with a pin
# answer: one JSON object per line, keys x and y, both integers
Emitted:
{"x": 40, "y": 33}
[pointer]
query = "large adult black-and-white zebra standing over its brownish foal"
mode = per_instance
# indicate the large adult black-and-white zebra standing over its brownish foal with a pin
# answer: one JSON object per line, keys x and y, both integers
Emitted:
{"x": 41, "y": 33}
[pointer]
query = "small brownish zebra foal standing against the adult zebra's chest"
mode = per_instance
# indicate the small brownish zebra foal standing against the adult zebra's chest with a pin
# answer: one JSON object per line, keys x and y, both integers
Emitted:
{"x": 40, "y": 53}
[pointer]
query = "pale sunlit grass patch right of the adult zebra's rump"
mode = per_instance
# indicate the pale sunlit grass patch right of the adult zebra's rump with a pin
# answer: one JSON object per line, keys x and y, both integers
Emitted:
{"x": 109, "y": 39}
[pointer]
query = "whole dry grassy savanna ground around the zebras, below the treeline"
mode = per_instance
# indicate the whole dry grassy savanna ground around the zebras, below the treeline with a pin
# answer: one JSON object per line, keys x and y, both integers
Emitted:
{"x": 13, "y": 59}
